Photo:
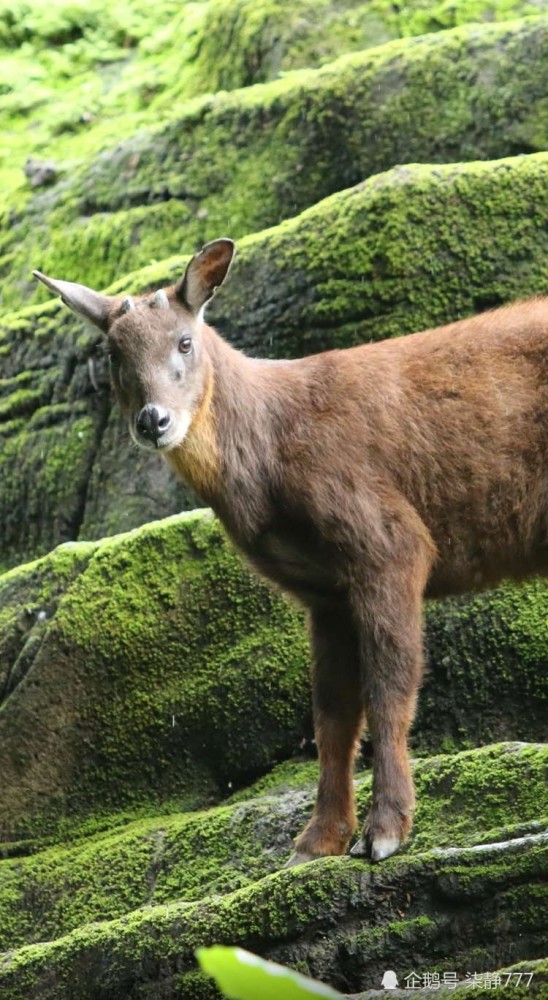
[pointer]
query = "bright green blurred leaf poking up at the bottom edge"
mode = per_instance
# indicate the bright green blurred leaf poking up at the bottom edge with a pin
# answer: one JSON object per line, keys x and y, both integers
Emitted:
{"x": 243, "y": 976}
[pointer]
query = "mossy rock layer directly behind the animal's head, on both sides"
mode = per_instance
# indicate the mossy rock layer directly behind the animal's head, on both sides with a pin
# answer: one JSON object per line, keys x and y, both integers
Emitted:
{"x": 417, "y": 246}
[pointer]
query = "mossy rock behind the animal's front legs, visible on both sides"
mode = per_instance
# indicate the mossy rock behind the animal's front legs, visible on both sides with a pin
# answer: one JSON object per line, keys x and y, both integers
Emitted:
{"x": 154, "y": 669}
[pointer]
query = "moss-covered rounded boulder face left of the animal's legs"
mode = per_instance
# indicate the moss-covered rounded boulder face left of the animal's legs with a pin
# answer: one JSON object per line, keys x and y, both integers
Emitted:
{"x": 163, "y": 637}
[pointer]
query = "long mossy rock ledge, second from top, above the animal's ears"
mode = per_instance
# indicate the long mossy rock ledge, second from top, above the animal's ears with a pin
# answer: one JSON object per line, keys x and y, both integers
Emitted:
{"x": 238, "y": 162}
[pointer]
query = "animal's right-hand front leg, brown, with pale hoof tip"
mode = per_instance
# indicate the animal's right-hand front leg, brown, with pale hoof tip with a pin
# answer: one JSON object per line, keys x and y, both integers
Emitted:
{"x": 392, "y": 661}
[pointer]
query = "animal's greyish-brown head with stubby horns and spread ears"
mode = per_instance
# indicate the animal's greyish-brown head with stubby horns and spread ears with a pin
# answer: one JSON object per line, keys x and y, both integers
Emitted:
{"x": 155, "y": 345}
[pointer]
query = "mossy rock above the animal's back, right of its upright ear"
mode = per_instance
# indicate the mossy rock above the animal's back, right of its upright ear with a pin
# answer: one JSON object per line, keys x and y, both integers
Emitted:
{"x": 407, "y": 249}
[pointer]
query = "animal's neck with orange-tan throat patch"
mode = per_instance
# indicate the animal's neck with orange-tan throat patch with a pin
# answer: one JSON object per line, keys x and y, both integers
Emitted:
{"x": 229, "y": 444}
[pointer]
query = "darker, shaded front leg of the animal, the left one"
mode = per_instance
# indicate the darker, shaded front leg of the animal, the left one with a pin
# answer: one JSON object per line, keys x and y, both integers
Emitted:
{"x": 338, "y": 720}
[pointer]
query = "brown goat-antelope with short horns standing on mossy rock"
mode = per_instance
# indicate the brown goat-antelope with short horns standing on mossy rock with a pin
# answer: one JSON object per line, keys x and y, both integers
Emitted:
{"x": 359, "y": 480}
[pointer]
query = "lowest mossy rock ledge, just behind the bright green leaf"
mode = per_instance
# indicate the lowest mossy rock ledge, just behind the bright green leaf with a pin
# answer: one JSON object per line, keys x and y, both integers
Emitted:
{"x": 286, "y": 915}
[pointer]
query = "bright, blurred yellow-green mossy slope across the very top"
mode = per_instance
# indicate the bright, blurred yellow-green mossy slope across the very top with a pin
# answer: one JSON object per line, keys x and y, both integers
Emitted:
{"x": 86, "y": 73}
